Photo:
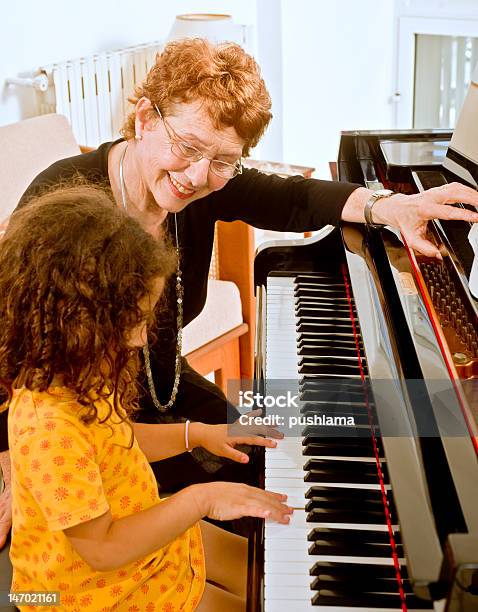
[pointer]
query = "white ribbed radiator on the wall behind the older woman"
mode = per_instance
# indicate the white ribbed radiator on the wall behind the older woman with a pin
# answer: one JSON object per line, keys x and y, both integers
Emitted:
{"x": 92, "y": 92}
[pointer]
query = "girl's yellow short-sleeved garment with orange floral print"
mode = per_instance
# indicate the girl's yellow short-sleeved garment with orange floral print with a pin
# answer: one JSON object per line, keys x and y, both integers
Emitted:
{"x": 65, "y": 473}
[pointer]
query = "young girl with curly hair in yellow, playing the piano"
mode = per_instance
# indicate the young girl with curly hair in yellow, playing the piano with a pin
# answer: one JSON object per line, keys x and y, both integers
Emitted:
{"x": 79, "y": 281}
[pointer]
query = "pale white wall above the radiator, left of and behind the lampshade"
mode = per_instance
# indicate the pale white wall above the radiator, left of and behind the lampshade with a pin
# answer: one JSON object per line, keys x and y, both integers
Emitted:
{"x": 33, "y": 33}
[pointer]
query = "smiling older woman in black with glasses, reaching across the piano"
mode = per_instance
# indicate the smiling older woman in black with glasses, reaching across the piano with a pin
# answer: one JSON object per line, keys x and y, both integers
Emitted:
{"x": 178, "y": 171}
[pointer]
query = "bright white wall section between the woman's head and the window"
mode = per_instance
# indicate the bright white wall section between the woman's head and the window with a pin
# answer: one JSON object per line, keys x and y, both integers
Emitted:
{"x": 337, "y": 74}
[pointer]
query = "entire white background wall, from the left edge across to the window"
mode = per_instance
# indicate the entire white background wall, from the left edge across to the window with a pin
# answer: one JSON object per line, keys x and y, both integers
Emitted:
{"x": 329, "y": 66}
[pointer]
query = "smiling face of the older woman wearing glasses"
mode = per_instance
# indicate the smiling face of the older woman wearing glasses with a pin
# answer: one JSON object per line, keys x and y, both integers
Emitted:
{"x": 175, "y": 182}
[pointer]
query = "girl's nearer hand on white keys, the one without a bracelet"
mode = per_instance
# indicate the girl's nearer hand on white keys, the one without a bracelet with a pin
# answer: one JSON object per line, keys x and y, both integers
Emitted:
{"x": 225, "y": 501}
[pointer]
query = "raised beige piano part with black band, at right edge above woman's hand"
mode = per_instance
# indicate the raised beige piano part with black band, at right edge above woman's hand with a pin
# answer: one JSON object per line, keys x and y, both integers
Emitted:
{"x": 462, "y": 155}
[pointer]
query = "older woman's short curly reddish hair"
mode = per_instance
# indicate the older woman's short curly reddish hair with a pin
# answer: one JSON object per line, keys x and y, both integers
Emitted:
{"x": 224, "y": 78}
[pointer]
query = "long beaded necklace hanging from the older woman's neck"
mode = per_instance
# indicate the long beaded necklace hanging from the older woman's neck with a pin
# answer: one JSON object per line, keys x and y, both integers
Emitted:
{"x": 179, "y": 318}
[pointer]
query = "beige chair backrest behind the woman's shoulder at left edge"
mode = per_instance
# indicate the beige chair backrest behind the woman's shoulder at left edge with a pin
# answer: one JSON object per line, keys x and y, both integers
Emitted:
{"x": 27, "y": 148}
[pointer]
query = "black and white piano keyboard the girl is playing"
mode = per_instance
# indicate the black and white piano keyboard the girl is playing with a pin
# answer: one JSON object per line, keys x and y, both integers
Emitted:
{"x": 337, "y": 552}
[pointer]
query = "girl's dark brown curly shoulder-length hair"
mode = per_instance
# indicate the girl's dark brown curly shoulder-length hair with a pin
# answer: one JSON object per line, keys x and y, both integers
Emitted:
{"x": 73, "y": 267}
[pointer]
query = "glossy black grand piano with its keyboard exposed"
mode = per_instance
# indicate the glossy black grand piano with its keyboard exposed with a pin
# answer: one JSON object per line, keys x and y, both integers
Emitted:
{"x": 386, "y": 511}
